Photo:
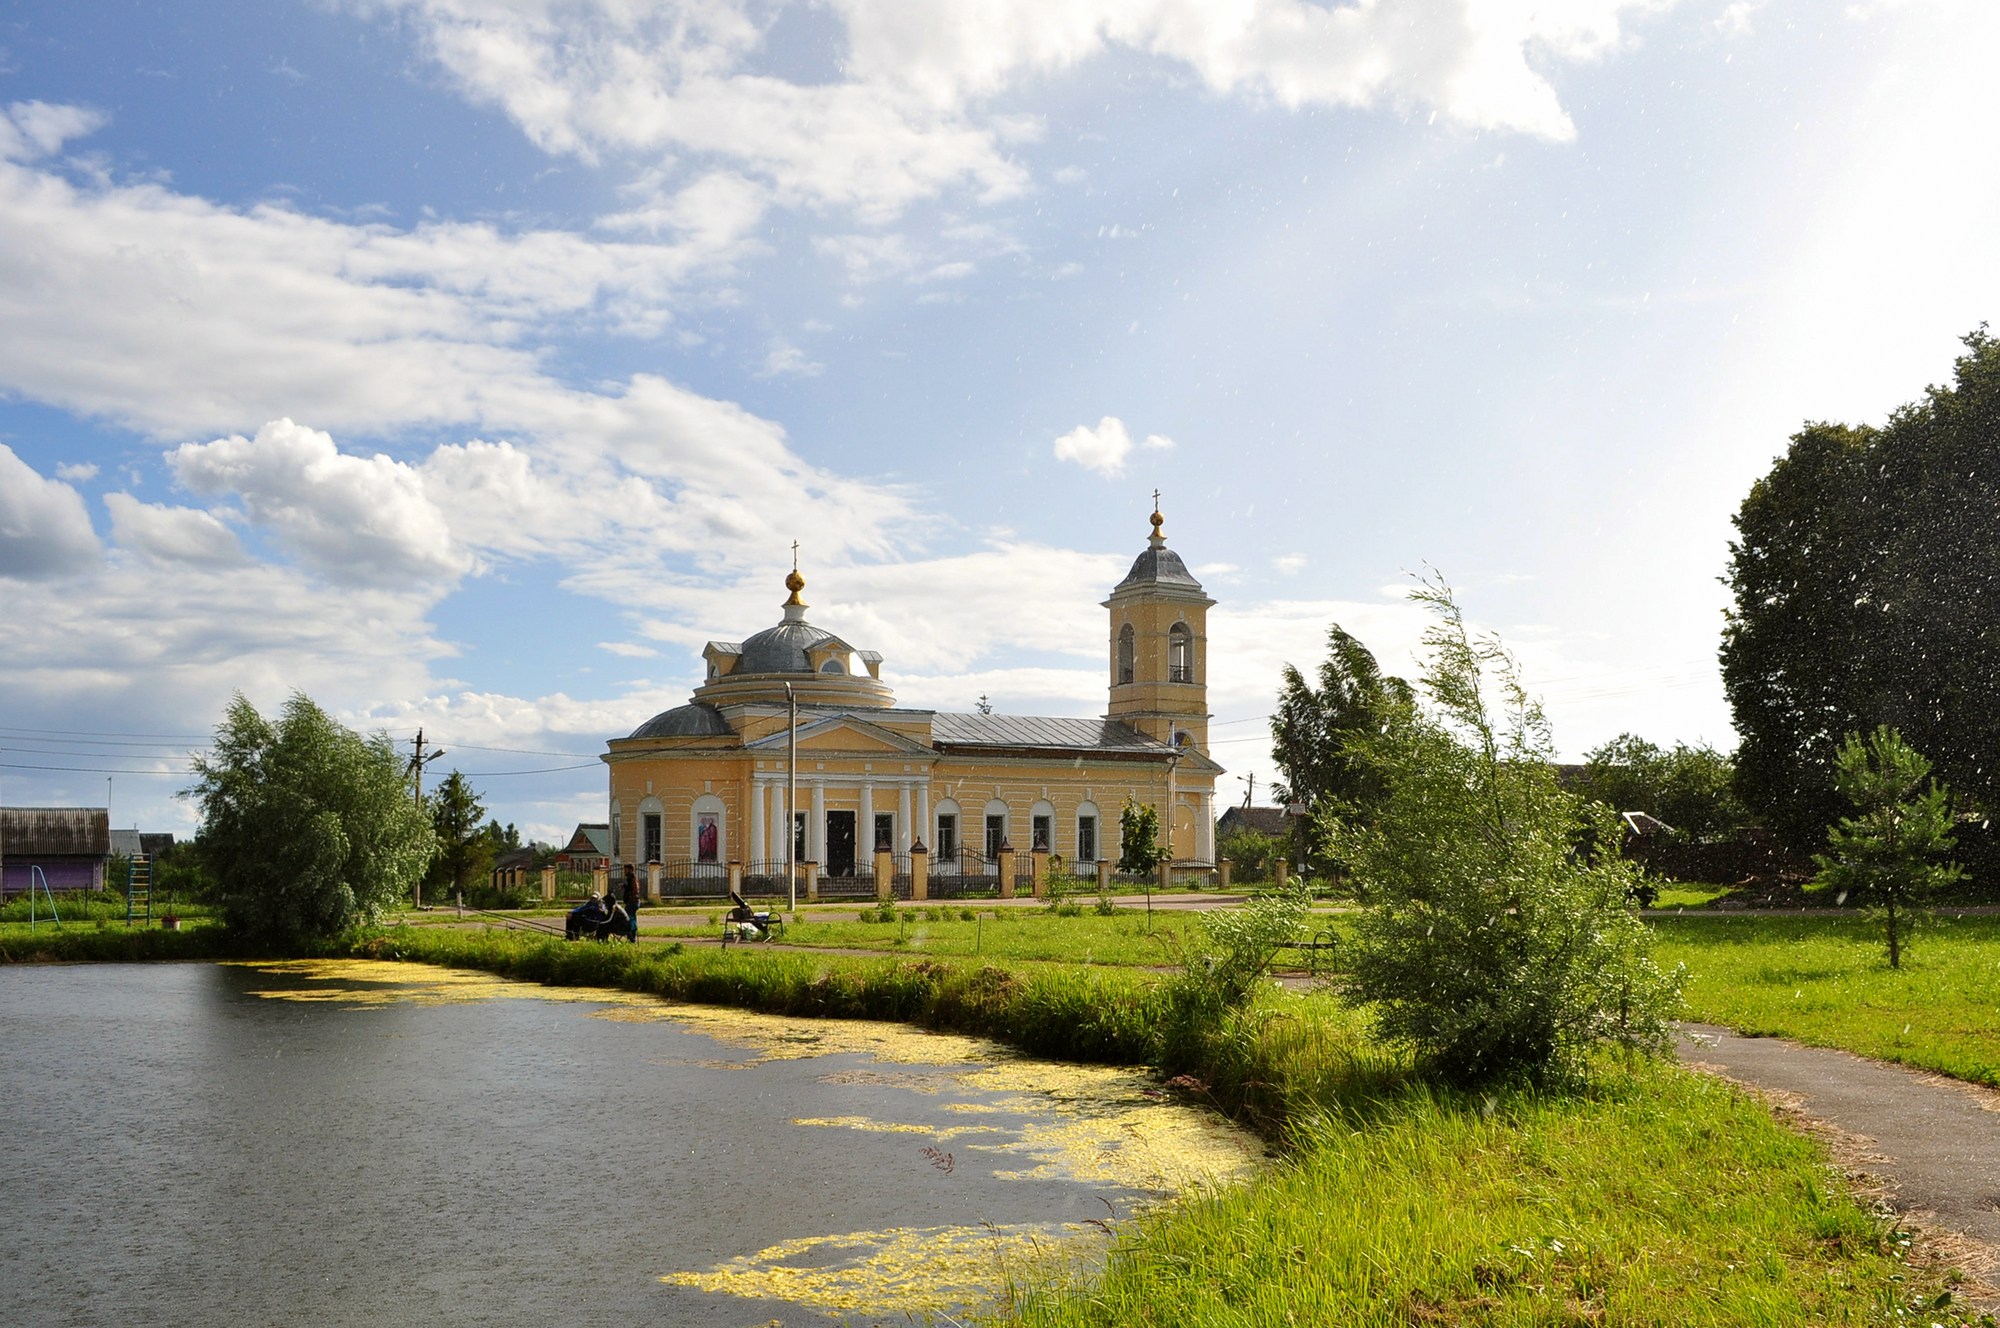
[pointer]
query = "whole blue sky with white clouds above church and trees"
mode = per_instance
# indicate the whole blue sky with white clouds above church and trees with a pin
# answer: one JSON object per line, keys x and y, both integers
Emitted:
{"x": 471, "y": 363}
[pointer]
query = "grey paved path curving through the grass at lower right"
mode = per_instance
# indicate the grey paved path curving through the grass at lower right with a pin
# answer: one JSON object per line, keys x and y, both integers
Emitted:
{"x": 1931, "y": 1139}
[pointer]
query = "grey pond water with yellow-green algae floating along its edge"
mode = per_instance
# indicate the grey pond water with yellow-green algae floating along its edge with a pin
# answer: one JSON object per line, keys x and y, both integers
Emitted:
{"x": 337, "y": 1143}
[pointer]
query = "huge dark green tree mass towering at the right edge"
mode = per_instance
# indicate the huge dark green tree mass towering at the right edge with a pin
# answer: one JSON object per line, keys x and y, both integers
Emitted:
{"x": 1865, "y": 595}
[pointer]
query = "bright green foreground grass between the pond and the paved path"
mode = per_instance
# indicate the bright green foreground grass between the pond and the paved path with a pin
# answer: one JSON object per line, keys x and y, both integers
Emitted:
{"x": 1663, "y": 1199}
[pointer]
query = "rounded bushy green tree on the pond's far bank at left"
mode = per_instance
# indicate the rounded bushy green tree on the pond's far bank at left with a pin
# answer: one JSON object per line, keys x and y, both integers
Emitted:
{"x": 307, "y": 827}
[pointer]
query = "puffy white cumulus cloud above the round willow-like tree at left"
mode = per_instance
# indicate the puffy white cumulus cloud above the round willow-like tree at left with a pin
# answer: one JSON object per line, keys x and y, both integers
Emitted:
{"x": 361, "y": 521}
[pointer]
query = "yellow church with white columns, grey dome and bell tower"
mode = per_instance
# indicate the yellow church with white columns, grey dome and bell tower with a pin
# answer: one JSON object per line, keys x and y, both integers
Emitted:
{"x": 707, "y": 785}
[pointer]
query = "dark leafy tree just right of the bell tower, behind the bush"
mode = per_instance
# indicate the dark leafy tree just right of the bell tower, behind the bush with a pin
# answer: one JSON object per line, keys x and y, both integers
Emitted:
{"x": 1315, "y": 733}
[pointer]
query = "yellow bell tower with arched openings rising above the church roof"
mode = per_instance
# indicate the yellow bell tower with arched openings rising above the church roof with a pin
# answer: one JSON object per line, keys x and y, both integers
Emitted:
{"x": 1159, "y": 647}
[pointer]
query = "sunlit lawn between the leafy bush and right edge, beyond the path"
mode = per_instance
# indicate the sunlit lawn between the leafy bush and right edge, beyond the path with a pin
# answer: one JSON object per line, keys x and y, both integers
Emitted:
{"x": 1825, "y": 981}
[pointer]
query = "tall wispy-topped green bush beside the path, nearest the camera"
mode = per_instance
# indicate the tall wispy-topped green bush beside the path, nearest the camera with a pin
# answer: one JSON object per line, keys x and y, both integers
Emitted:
{"x": 1491, "y": 941}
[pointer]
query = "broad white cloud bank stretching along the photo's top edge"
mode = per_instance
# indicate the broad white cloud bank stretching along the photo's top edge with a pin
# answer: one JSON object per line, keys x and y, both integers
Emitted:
{"x": 915, "y": 111}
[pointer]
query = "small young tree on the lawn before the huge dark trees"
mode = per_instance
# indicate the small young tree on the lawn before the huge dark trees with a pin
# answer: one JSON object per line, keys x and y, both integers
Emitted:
{"x": 1889, "y": 851}
